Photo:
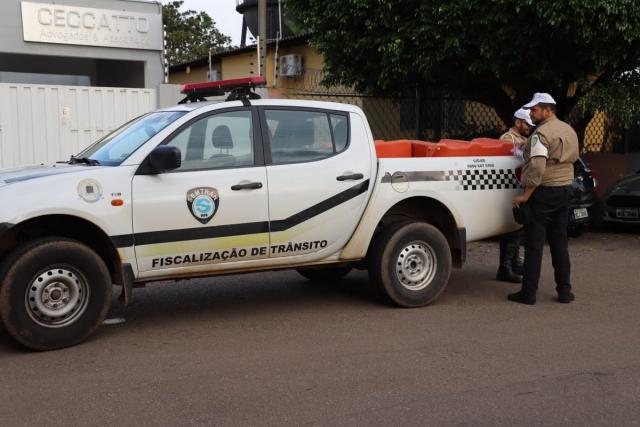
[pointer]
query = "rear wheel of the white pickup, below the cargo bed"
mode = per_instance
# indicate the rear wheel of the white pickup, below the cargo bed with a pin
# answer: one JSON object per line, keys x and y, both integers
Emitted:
{"x": 411, "y": 263}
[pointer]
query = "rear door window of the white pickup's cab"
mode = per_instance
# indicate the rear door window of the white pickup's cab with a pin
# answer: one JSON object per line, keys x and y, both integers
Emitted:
{"x": 303, "y": 136}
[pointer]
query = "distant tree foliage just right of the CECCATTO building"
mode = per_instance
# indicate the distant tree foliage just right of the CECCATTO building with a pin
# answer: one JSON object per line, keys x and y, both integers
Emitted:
{"x": 190, "y": 34}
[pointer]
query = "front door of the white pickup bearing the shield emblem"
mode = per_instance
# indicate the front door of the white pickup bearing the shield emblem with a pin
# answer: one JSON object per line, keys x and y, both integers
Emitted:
{"x": 210, "y": 213}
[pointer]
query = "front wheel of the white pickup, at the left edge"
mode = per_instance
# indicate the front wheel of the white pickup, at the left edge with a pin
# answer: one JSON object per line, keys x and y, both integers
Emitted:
{"x": 54, "y": 293}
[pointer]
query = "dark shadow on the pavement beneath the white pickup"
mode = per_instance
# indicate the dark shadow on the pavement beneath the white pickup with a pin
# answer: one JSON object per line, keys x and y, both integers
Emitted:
{"x": 229, "y": 298}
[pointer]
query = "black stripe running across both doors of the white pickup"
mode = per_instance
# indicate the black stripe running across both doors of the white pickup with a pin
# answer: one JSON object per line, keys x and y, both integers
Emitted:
{"x": 168, "y": 236}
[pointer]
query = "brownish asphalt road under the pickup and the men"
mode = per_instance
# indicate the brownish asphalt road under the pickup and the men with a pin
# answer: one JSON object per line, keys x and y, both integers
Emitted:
{"x": 274, "y": 349}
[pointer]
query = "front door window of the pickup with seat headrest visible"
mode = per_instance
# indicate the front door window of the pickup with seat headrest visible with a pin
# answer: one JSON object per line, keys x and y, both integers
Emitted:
{"x": 223, "y": 140}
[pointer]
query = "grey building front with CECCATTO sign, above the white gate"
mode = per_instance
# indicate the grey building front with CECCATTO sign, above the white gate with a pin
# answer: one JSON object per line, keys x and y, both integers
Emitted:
{"x": 111, "y": 43}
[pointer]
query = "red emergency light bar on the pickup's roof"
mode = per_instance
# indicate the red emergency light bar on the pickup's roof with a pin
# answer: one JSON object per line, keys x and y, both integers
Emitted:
{"x": 238, "y": 89}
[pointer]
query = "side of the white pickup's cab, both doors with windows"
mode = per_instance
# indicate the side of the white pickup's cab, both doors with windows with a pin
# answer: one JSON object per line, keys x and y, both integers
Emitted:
{"x": 256, "y": 186}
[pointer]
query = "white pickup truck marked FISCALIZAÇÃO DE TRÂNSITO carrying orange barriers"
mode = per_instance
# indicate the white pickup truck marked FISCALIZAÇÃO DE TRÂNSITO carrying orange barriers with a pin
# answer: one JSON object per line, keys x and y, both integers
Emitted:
{"x": 207, "y": 189}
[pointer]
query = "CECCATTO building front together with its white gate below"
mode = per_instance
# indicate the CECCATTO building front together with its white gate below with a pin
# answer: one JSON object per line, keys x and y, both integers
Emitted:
{"x": 73, "y": 70}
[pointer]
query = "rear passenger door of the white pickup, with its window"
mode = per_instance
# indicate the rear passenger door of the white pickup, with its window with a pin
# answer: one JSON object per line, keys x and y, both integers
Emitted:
{"x": 319, "y": 169}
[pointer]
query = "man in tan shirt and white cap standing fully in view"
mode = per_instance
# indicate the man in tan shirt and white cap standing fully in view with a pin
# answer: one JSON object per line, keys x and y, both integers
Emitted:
{"x": 547, "y": 175}
